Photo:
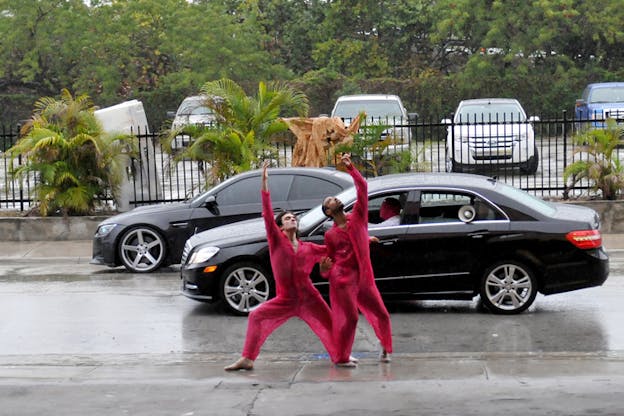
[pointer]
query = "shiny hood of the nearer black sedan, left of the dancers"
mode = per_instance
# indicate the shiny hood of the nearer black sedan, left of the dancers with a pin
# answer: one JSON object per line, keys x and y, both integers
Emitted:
{"x": 231, "y": 234}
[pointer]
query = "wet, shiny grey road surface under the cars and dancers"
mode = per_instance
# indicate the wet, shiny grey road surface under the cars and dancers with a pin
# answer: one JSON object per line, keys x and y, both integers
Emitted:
{"x": 60, "y": 309}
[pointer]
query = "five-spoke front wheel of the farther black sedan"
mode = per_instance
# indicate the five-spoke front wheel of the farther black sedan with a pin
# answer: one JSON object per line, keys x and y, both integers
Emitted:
{"x": 142, "y": 250}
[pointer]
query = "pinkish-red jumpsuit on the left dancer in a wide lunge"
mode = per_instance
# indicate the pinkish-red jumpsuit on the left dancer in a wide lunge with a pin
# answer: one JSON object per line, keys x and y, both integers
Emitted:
{"x": 295, "y": 294}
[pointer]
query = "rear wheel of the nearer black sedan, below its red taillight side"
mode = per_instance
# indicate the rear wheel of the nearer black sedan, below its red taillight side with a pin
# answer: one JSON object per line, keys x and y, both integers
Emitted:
{"x": 508, "y": 287}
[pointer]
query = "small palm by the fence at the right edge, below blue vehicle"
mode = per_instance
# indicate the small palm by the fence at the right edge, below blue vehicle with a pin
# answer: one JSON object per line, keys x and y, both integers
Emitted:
{"x": 600, "y": 164}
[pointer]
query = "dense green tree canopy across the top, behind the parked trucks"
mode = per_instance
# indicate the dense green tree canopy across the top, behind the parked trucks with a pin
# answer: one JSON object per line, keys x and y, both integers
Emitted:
{"x": 431, "y": 53}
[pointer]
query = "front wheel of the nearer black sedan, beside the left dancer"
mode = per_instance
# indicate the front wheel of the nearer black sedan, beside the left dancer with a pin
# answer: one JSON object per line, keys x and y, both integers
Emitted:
{"x": 244, "y": 287}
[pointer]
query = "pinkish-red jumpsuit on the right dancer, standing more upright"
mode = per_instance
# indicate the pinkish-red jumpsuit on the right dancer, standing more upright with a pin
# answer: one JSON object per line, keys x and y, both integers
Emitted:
{"x": 351, "y": 280}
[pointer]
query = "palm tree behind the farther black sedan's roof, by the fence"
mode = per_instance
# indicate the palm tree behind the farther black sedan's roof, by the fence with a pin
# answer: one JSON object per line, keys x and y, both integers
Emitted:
{"x": 244, "y": 128}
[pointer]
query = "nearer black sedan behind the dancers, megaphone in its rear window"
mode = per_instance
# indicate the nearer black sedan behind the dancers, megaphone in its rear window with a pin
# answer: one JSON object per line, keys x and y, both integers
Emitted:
{"x": 460, "y": 236}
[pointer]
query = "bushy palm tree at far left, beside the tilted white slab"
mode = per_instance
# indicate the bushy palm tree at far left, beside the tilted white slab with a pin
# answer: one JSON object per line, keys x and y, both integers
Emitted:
{"x": 76, "y": 164}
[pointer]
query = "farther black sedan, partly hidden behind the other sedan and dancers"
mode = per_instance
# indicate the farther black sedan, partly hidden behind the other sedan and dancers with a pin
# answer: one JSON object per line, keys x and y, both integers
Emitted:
{"x": 153, "y": 236}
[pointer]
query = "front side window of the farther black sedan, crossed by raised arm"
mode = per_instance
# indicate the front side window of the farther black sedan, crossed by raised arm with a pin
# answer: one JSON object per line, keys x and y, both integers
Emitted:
{"x": 247, "y": 190}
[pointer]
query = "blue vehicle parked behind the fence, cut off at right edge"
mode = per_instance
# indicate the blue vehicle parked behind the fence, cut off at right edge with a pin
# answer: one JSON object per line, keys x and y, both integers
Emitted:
{"x": 601, "y": 101}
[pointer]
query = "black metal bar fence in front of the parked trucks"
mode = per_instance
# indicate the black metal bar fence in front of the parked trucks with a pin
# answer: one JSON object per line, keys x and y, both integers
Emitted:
{"x": 156, "y": 177}
